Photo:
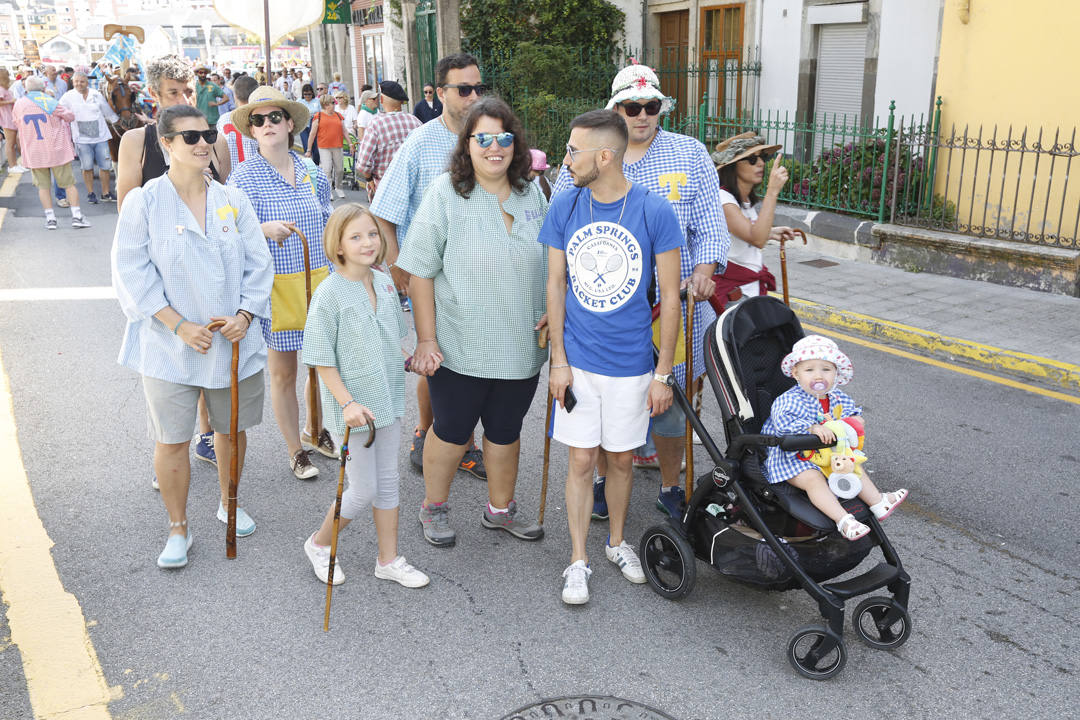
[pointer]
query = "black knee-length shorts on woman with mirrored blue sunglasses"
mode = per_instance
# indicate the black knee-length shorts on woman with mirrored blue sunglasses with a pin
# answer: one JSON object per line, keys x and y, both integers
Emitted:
{"x": 460, "y": 401}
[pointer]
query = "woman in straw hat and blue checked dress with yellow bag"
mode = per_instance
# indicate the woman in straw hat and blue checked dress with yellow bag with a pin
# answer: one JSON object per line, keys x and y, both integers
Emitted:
{"x": 286, "y": 191}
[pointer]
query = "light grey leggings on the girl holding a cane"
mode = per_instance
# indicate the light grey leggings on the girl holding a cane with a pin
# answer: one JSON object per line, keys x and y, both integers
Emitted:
{"x": 372, "y": 473}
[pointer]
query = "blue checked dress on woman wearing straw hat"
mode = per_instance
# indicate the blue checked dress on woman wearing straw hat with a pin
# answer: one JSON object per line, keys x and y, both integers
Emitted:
{"x": 307, "y": 206}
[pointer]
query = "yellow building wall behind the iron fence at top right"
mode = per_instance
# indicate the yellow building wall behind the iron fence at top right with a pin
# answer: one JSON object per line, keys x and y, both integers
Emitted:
{"x": 1011, "y": 63}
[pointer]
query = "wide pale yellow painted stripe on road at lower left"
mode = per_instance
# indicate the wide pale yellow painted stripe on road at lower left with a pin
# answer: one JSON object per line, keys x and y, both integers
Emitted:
{"x": 64, "y": 680}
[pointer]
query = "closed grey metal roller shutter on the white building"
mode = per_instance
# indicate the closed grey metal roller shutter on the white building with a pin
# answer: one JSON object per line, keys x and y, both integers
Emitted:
{"x": 842, "y": 65}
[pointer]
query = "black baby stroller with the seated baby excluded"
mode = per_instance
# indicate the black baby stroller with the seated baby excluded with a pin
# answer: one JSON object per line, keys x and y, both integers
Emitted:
{"x": 771, "y": 536}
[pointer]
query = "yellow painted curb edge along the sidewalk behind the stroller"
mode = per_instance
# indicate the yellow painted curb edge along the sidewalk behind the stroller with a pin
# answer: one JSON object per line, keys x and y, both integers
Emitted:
{"x": 1009, "y": 362}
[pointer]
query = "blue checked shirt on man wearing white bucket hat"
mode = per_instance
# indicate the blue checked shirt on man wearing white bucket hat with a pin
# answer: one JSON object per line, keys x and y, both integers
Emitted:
{"x": 679, "y": 168}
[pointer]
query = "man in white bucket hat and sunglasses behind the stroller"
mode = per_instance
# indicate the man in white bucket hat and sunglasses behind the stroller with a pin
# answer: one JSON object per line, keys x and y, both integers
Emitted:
{"x": 680, "y": 169}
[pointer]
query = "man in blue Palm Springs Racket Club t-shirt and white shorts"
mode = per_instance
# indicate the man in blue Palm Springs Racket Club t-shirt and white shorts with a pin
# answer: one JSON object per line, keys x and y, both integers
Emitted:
{"x": 605, "y": 238}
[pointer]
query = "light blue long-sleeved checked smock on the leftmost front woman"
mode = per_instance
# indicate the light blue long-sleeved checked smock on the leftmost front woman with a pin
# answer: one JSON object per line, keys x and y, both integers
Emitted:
{"x": 161, "y": 259}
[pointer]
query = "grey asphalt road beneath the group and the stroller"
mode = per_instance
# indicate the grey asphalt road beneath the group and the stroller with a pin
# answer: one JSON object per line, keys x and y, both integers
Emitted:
{"x": 989, "y": 537}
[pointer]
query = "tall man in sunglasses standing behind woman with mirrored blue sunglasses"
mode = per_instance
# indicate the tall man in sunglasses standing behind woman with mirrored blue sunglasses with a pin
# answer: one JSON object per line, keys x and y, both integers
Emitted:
{"x": 421, "y": 159}
